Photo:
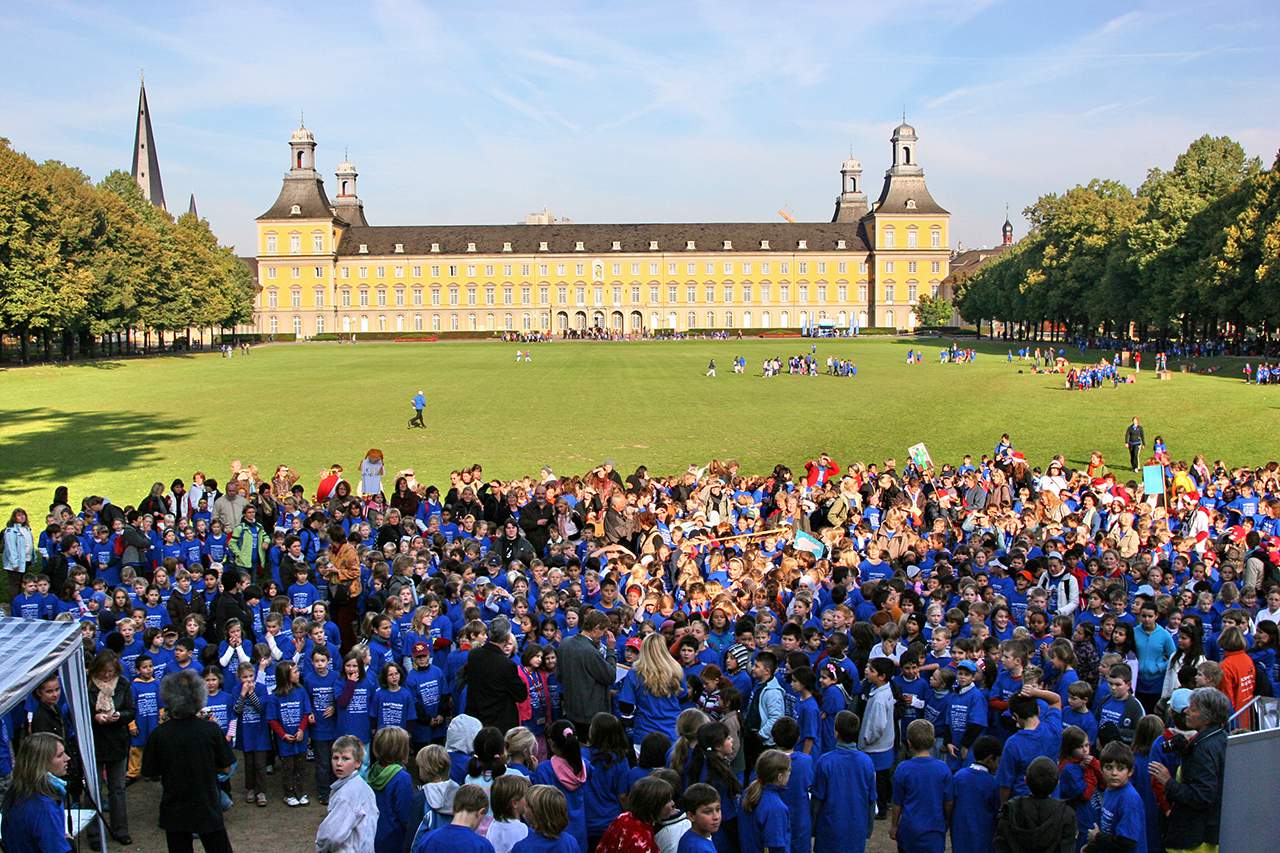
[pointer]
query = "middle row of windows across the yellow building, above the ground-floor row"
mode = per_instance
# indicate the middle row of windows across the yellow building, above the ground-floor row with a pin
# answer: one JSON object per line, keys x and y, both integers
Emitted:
{"x": 710, "y": 293}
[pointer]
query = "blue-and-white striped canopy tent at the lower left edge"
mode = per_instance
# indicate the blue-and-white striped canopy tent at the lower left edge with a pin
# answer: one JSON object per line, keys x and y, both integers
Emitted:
{"x": 31, "y": 650}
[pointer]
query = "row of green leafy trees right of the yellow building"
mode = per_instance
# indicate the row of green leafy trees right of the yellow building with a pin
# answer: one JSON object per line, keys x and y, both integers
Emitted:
{"x": 1192, "y": 256}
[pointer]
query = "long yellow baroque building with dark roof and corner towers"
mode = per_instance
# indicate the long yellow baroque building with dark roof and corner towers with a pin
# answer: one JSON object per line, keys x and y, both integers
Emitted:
{"x": 322, "y": 268}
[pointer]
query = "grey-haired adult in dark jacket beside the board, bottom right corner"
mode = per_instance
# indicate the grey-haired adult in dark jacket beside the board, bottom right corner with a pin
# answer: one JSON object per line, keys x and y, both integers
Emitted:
{"x": 1196, "y": 795}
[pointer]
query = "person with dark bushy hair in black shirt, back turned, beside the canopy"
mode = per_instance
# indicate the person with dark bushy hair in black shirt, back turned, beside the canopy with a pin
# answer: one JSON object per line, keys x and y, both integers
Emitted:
{"x": 186, "y": 754}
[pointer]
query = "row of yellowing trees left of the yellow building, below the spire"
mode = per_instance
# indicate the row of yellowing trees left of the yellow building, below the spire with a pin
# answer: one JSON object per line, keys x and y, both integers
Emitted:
{"x": 97, "y": 270}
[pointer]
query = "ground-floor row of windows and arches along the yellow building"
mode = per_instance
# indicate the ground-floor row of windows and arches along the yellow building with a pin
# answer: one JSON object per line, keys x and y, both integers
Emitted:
{"x": 564, "y": 321}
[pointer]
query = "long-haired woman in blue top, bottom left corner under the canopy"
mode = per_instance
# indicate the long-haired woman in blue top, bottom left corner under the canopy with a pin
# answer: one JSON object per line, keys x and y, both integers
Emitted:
{"x": 34, "y": 816}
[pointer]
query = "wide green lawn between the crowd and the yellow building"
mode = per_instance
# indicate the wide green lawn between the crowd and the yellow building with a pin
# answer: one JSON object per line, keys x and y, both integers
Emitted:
{"x": 115, "y": 428}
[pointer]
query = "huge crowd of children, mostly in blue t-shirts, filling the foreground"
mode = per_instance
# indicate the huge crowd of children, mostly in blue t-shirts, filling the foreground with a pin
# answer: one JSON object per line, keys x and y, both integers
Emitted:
{"x": 945, "y": 660}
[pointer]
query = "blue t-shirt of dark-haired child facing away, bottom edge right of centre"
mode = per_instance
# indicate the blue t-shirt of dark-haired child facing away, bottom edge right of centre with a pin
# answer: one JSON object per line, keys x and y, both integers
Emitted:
{"x": 844, "y": 783}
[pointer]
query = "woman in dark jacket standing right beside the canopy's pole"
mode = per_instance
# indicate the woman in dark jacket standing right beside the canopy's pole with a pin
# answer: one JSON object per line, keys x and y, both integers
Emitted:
{"x": 112, "y": 703}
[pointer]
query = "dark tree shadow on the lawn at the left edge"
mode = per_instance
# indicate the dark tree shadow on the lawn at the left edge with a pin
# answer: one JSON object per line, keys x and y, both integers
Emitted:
{"x": 49, "y": 448}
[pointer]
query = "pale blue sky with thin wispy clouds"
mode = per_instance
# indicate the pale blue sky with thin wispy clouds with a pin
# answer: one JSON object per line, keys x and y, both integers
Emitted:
{"x": 642, "y": 112}
